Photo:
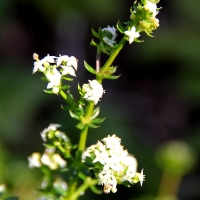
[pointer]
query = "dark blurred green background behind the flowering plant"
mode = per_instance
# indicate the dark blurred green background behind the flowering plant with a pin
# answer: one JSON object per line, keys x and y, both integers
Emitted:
{"x": 156, "y": 100}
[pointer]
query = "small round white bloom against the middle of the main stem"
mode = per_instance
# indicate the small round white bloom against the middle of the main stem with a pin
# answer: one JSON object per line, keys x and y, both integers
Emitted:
{"x": 94, "y": 91}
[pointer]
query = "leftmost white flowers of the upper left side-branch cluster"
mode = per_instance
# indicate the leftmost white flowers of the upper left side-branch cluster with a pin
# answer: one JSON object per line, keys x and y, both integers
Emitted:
{"x": 38, "y": 65}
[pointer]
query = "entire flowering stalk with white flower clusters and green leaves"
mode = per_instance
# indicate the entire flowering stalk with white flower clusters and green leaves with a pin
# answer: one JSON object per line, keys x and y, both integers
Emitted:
{"x": 106, "y": 161}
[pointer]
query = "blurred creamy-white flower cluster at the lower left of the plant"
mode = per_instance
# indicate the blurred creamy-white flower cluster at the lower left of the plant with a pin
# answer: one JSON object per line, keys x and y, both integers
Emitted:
{"x": 49, "y": 158}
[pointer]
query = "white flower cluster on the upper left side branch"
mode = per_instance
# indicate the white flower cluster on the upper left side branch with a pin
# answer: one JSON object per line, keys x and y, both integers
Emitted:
{"x": 55, "y": 69}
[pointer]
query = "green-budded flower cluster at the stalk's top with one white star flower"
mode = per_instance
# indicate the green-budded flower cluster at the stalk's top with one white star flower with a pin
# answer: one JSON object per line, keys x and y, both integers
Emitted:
{"x": 143, "y": 20}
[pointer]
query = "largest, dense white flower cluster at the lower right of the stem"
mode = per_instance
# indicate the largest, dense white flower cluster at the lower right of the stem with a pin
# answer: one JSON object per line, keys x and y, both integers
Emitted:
{"x": 112, "y": 164}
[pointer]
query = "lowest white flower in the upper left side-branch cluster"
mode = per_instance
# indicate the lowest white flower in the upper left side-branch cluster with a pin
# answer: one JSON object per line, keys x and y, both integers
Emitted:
{"x": 54, "y": 76}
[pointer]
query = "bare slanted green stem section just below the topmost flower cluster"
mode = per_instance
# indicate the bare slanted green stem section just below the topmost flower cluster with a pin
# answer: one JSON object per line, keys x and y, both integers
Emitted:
{"x": 113, "y": 56}
